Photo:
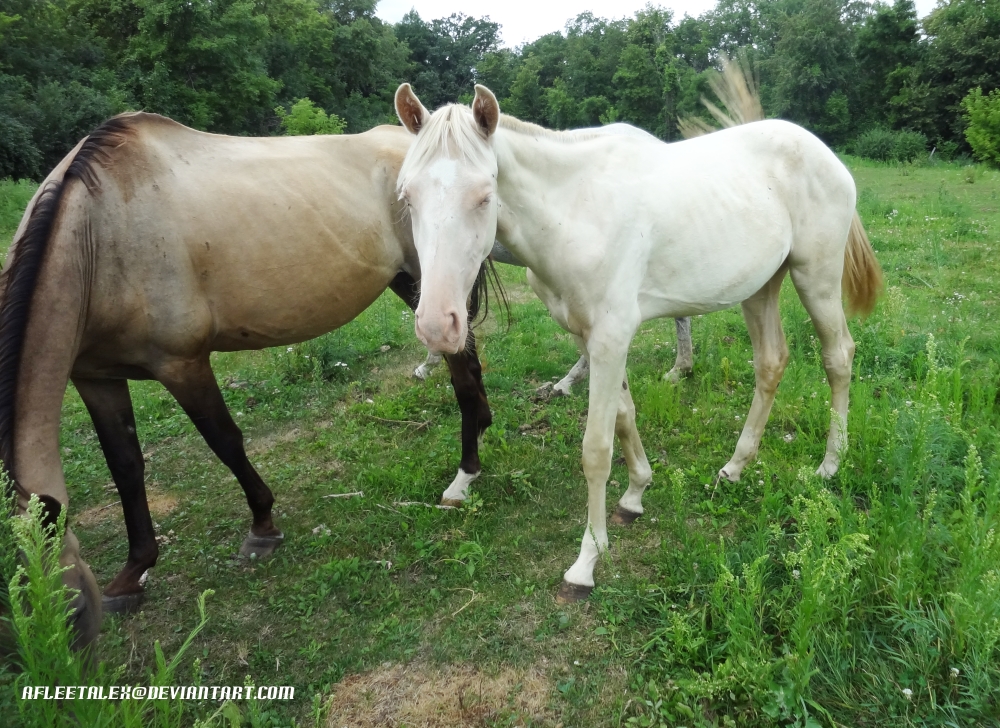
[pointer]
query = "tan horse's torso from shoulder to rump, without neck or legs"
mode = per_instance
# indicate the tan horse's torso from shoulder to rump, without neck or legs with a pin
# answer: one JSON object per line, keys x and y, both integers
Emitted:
{"x": 205, "y": 242}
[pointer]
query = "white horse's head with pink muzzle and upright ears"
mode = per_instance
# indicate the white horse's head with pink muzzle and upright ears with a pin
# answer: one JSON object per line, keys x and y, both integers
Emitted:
{"x": 453, "y": 210}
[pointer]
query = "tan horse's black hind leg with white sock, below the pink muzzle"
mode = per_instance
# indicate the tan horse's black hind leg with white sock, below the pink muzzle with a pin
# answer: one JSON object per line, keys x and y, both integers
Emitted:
{"x": 467, "y": 379}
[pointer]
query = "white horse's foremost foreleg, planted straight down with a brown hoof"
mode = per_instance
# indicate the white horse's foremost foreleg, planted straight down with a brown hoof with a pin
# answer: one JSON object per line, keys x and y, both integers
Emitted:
{"x": 607, "y": 379}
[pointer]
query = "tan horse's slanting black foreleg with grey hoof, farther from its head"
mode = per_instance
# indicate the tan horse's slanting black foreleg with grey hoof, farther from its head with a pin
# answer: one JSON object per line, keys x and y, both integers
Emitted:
{"x": 193, "y": 385}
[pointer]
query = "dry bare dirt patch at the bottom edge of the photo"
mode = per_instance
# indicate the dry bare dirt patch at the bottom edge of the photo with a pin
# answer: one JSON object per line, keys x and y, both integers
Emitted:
{"x": 419, "y": 695}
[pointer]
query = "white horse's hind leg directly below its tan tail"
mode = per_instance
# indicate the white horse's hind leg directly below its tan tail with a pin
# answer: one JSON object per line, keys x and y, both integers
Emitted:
{"x": 823, "y": 303}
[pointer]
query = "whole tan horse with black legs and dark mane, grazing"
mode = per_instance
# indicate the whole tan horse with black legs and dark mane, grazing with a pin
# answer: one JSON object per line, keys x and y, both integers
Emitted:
{"x": 152, "y": 245}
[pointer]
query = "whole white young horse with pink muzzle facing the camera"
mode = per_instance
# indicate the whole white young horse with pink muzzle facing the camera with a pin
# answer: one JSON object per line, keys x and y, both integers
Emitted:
{"x": 617, "y": 229}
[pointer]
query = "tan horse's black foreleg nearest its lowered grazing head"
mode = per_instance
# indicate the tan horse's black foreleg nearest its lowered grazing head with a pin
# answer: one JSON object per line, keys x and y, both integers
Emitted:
{"x": 110, "y": 408}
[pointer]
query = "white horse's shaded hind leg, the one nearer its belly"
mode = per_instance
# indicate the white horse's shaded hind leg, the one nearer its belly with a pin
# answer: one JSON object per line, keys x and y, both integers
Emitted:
{"x": 770, "y": 356}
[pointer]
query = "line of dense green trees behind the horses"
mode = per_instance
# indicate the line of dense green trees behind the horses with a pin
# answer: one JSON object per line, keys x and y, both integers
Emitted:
{"x": 842, "y": 68}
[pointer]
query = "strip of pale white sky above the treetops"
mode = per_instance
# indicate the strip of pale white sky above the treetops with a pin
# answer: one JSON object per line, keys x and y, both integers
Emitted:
{"x": 526, "y": 20}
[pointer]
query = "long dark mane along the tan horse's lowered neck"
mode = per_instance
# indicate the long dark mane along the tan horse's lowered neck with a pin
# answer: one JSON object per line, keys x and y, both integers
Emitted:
{"x": 17, "y": 282}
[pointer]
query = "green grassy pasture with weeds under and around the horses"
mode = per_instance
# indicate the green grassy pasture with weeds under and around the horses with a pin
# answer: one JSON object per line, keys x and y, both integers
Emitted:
{"x": 871, "y": 599}
